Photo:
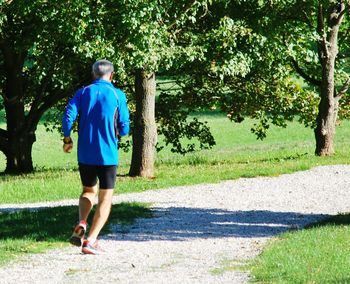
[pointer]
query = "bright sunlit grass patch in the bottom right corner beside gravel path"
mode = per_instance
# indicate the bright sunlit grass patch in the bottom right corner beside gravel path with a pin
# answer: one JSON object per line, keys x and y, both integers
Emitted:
{"x": 319, "y": 254}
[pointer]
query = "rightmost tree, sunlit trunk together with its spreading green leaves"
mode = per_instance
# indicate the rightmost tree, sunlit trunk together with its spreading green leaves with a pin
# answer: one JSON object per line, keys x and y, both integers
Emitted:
{"x": 254, "y": 51}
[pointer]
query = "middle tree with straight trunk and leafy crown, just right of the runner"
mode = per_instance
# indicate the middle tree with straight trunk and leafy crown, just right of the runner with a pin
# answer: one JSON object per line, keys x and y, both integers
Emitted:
{"x": 148, "y": 42}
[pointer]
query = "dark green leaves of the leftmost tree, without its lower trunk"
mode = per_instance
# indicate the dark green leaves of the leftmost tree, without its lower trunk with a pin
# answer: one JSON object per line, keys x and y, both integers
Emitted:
{"x": 43, "y": 37}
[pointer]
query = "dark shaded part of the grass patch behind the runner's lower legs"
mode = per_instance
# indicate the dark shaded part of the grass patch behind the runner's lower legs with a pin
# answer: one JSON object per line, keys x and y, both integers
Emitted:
{"x": 56, "y": 224}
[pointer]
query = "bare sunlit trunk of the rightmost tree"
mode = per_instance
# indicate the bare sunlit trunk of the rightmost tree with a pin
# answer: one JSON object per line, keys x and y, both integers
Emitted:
{"x": 328, "y": 107}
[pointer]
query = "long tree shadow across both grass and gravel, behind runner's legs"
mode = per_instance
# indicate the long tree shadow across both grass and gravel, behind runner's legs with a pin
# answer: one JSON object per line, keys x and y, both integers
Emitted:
{"x": 174, "y": 223}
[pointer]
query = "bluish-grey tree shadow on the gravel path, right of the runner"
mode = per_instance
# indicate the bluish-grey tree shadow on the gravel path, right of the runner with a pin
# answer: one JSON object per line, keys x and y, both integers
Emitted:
{"x": 182, "y": 224}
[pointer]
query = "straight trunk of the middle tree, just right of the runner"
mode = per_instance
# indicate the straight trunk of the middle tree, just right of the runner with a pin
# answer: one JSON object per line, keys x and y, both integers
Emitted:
{"x": 145, "y": 129}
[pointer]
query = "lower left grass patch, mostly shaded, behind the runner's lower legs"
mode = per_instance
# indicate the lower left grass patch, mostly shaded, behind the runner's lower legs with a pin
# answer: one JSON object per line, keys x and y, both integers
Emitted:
{"x": 27, "y": 232}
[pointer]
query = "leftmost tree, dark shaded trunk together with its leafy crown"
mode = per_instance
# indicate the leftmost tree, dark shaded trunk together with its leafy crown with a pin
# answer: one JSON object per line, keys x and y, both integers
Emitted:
{"x": 40, "y": 64}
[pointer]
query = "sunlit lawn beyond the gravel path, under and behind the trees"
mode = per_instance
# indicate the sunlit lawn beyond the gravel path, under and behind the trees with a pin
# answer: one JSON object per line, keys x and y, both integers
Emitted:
{"x": 237, "y": 154}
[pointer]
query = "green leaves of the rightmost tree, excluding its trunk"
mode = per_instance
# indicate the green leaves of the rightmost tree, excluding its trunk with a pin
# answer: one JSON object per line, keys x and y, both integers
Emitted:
{"x": 250, "y": 52}
